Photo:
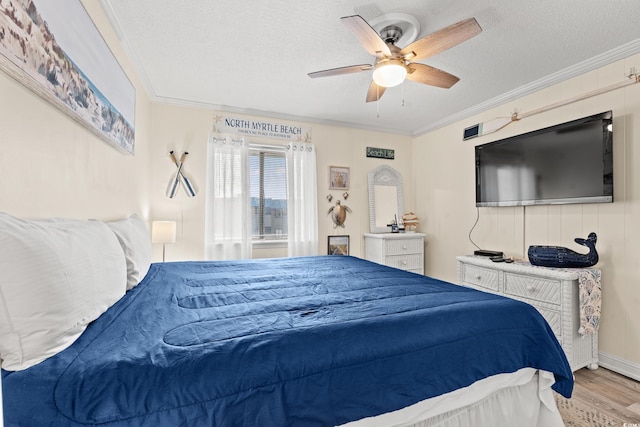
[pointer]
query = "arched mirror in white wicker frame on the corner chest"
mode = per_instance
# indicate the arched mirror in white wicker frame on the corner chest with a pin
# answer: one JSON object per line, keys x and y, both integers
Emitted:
{"x": 385, "y": 198}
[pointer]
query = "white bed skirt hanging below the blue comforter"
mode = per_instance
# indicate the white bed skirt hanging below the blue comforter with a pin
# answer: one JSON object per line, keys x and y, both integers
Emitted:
{"x": 523, "y": 398}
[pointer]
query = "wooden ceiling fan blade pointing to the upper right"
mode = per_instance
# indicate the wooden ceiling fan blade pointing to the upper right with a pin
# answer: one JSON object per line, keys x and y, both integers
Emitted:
{"x": 441, "y": 40}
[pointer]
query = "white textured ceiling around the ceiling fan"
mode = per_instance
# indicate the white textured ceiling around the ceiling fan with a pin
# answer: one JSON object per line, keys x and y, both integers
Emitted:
{"x": 253, "y": 56}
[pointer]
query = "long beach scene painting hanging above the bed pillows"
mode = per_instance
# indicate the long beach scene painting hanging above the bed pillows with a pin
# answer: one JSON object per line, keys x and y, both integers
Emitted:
{"x": 54, "y": 49}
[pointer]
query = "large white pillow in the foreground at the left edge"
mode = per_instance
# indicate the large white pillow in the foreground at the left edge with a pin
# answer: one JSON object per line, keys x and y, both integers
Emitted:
{"x": 57, "y": 277}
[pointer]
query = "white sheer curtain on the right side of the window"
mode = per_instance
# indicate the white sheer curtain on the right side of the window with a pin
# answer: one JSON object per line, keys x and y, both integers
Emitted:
{"x": 302, "y": 198}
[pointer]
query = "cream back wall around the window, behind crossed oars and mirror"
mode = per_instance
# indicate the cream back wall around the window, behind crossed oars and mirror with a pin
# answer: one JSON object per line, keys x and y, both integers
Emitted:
{"x": 181, "y": 129}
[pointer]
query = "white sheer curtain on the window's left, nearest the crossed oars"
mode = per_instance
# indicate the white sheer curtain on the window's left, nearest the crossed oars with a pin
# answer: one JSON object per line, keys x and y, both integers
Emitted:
{"x": 227, "y": 212}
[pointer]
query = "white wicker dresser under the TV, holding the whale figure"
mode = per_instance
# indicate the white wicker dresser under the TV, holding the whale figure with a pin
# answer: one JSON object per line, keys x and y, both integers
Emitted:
{"x": 553, "y": 292}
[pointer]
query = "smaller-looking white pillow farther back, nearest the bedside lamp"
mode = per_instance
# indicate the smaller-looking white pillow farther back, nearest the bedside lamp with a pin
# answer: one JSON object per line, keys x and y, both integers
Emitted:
{"x": 135, "y": 240}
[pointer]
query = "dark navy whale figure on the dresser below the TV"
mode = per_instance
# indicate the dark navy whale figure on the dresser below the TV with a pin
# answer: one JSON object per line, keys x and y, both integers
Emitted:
{"x": 557, "y": 256}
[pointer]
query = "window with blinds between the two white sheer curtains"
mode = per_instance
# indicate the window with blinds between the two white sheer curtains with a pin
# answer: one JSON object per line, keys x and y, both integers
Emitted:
{"x": 268, "y": 192}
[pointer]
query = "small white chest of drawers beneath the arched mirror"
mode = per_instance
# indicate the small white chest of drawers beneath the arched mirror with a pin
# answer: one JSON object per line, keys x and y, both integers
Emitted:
{"x": 400, "y": 250}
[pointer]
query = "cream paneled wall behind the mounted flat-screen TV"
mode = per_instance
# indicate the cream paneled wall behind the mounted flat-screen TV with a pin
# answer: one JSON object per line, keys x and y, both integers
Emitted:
{"x": 444, "y": 165}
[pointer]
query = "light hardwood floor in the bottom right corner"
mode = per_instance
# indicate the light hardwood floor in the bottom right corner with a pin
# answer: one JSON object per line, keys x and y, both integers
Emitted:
{"x": 607, "y": 394}
